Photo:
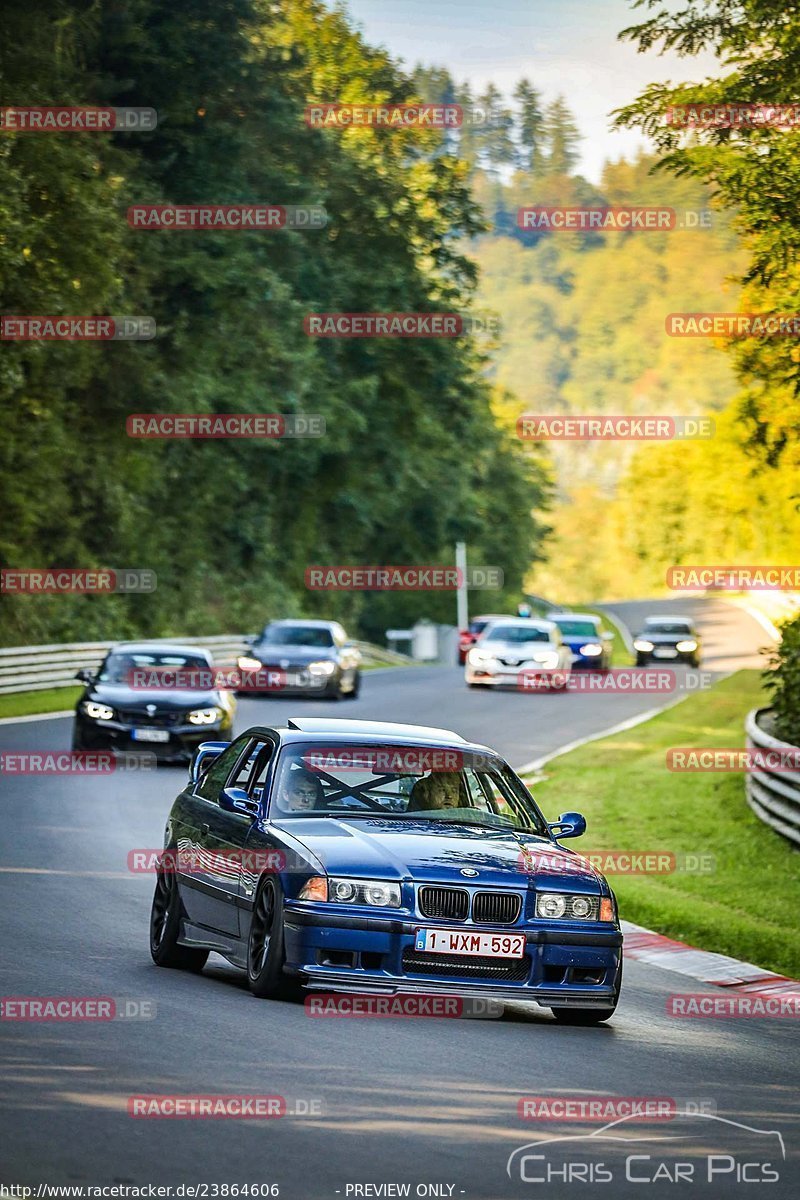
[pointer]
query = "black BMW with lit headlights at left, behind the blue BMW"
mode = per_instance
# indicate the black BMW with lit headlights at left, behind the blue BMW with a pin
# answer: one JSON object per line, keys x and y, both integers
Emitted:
{"x": 155, "y": 698}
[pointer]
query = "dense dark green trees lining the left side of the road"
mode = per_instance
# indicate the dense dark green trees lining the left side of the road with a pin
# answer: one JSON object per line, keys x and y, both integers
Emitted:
{"x": 413, "y": 458}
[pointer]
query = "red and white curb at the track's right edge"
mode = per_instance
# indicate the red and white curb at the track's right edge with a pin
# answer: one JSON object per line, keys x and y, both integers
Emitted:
{"x": 643, "y": 946}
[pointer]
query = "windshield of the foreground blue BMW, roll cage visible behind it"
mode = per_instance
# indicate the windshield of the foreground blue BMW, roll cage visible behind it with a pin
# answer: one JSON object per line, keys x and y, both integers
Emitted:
{"x": 411, "y": 783}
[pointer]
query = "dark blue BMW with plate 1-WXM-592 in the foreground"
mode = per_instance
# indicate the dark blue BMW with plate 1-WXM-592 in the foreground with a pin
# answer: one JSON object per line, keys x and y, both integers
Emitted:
{"x": 359, "y": 856}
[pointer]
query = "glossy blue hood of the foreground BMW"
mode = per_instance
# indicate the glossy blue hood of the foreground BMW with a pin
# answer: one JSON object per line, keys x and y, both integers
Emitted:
{"x": 395, "y": 849}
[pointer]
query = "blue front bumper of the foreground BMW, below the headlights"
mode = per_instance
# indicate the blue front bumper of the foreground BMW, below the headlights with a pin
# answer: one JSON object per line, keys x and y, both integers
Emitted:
{"x": 564, "y": 965}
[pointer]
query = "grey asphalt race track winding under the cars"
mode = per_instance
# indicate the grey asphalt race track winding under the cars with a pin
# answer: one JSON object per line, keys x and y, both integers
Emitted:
{"x": 426, "y": 1103}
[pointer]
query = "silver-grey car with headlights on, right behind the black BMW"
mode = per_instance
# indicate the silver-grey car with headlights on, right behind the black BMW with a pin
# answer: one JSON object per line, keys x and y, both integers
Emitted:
{"x": 310, "y": 658}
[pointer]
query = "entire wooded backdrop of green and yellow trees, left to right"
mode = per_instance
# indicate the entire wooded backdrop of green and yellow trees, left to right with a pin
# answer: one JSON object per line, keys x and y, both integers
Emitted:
{"x": 420, "y": 447}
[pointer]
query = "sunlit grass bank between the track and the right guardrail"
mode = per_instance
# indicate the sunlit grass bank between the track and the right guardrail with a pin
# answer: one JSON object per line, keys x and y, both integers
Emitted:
{"x": 748, "y": 905}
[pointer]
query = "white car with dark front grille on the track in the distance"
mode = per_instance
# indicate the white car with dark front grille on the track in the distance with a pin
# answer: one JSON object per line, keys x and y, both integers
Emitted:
{"x": 514, "y": 647}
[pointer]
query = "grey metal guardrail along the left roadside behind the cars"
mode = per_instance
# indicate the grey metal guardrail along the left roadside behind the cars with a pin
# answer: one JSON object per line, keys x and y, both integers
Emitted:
{"x": 37, "y": 668}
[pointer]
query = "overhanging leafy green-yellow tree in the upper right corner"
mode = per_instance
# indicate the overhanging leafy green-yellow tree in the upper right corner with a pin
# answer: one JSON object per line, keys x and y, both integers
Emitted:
{"x": 755, "y": 171}
